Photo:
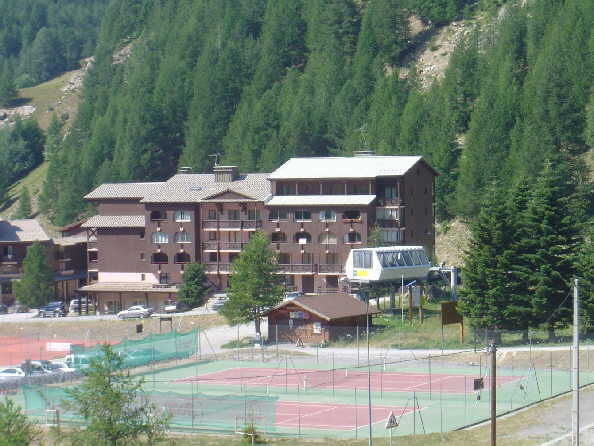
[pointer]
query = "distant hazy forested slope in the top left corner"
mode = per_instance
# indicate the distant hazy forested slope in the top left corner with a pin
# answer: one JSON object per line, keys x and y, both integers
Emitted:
{"x": 42, "y": 38}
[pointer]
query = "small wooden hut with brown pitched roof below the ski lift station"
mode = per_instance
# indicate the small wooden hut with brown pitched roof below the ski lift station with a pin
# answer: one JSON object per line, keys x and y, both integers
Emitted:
{"x": 317, "y": 319}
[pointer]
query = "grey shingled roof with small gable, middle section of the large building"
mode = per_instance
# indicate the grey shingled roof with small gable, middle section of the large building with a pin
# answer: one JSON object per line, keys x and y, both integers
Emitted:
{"x": 192, "y": 188}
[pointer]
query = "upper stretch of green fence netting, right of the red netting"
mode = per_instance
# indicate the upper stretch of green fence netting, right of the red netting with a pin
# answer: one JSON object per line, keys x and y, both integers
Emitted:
{"x": 136, "y": 353}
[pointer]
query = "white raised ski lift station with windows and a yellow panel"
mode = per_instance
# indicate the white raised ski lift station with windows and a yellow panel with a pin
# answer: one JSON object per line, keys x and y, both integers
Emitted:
{"x": 386, "y": 264}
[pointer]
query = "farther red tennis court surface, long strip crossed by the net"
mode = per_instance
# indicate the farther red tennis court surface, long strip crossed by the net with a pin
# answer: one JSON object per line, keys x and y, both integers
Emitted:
{"x": 344, "y": 379}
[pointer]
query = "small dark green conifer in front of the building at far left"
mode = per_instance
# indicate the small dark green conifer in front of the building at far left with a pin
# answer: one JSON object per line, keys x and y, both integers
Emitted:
{"x": 36, "y": 286}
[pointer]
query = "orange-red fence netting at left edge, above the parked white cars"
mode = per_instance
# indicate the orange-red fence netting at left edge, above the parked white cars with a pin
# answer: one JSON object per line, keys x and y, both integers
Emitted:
{"x": 15, "y": 350}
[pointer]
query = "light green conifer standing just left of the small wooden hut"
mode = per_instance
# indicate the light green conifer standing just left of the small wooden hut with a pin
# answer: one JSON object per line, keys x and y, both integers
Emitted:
{"x": 254, "y": 285}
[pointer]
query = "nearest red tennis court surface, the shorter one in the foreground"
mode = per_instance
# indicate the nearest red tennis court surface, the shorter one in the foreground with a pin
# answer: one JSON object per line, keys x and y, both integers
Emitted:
{"x": 331, "y": 416}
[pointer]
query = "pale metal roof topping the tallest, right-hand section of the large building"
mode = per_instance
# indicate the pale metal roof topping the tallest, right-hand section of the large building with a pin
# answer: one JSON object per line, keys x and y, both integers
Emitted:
{"x": 345, "y": 167}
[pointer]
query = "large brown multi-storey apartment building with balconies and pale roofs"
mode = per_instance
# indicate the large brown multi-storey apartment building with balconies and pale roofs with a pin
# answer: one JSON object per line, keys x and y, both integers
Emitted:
{"x": 314, "y": 211}
